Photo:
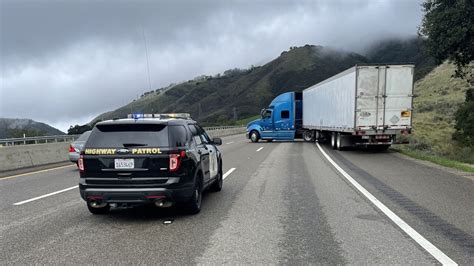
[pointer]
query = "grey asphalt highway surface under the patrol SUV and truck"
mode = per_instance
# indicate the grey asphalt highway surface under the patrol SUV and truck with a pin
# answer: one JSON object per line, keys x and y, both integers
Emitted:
{"x": 282, "y": 202}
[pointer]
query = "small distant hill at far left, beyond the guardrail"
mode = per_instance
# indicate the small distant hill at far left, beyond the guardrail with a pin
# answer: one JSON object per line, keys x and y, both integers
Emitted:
{"x": 13, "y": 128}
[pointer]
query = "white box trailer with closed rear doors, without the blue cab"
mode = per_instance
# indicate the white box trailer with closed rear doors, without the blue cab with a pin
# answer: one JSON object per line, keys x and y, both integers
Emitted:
{"x": 364, "y": 105}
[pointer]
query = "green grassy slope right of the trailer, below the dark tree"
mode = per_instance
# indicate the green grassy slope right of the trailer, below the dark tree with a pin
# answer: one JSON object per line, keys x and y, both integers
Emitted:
{"x": 438, "y": 97}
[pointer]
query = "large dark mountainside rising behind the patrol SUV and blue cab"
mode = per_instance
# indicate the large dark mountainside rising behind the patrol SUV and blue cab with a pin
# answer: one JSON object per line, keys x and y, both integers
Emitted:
{"x": 211, "y": 100}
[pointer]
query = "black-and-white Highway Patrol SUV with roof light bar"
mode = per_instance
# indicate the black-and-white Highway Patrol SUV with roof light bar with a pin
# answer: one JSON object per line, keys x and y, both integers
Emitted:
{"x": 149, "y": 158}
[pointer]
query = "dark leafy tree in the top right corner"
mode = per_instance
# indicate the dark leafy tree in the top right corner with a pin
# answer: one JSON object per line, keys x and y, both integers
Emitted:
{"x": 449, "y": 26}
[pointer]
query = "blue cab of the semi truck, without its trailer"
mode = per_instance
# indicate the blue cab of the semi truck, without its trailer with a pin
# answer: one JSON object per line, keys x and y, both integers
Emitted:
{"x": 281, "y": 120}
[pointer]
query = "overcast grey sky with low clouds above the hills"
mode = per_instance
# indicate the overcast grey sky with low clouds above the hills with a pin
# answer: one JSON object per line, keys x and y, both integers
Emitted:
{"x": 65, "y": 62}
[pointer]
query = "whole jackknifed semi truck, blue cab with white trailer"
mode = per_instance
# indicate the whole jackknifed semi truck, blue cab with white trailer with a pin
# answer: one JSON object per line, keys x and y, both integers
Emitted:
{"x": 366, "y": 105}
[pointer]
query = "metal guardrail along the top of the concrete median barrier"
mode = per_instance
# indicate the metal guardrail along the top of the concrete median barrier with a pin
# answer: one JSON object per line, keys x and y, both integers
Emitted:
{"x": 69, "y": 138}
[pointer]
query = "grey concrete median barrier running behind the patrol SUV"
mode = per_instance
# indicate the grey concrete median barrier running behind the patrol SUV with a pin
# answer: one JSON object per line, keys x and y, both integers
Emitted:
{"x": 20, "y": 156}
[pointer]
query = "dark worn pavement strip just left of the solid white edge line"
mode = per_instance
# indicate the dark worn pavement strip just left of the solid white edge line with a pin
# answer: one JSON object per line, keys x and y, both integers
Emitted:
{"x": 306, "y": 225}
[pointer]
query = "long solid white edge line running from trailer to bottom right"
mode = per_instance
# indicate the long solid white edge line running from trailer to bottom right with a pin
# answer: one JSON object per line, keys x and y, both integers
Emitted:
{"x": 423, "y": 242}
